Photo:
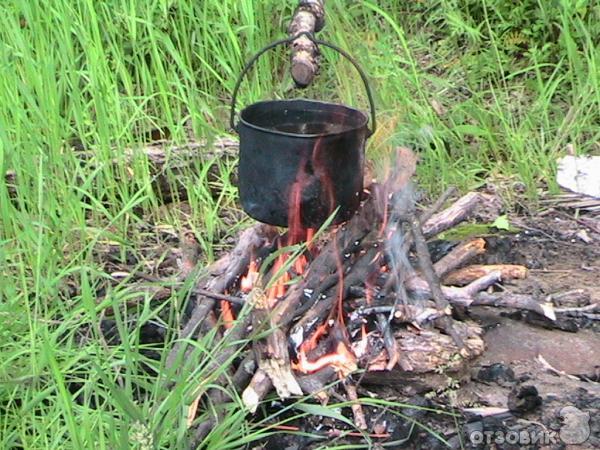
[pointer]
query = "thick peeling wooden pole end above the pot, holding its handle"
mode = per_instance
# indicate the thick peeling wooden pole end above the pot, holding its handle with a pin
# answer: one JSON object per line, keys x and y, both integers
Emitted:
{"x": 309, "y": 17}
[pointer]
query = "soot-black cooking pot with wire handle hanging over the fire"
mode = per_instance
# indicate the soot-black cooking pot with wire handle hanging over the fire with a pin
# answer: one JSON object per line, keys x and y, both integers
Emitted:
{"x": 301, "y": 160}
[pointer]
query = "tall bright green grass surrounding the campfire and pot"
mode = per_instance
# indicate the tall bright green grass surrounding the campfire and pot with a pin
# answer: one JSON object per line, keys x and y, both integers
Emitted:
{"x": 517, "y": 84}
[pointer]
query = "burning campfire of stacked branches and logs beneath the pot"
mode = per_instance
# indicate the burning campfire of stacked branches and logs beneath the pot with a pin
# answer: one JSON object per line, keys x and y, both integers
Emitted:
{"x": 358, "y": 297}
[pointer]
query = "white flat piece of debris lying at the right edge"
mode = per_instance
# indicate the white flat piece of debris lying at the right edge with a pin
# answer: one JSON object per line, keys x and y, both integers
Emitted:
{"x": 580, "y": 174}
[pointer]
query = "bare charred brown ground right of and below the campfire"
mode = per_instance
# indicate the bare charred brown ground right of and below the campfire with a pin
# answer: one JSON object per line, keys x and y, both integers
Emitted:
{"x": 549, "y": 402}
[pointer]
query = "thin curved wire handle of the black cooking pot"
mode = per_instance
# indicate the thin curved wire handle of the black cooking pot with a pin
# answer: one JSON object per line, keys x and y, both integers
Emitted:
{"x": 274, "y": 44}
